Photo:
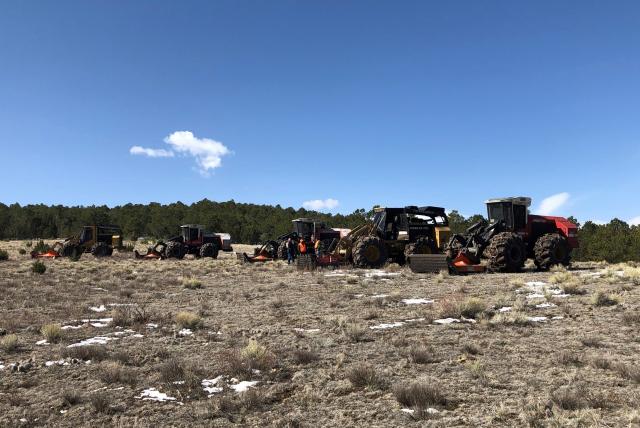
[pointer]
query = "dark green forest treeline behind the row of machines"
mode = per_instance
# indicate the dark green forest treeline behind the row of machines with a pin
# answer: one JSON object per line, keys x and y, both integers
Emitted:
{"x": 249, "y": 223}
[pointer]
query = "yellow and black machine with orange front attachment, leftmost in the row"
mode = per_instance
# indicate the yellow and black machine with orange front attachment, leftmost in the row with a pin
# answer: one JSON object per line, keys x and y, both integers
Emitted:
{"x": 99, "y": 240}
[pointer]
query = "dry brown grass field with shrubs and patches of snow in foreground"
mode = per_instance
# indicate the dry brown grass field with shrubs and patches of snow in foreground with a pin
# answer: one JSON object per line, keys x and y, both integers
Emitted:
{"x": 129, "y": 343}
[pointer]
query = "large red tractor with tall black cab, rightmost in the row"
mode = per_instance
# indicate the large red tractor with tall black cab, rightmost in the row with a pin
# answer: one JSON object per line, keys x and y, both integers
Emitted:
{"x": 510, "y": 236}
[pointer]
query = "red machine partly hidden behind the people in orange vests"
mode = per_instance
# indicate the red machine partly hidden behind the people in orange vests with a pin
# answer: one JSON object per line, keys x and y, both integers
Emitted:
{"x": 303, "y": 228}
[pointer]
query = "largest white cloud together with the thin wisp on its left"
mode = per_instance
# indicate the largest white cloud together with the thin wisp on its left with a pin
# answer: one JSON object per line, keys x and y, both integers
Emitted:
{"x": 207, "y": 152}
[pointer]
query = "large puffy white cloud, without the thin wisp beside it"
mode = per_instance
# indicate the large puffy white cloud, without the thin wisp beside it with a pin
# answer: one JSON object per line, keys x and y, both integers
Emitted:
{"x": 208, "y": 152}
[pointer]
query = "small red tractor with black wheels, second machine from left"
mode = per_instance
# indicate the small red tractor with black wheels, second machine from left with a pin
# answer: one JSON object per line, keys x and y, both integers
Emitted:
{"x": 193, "y": 240}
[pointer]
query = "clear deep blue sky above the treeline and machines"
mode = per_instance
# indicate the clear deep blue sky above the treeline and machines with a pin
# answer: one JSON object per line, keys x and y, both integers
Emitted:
{"x": 362, "y": 103}
